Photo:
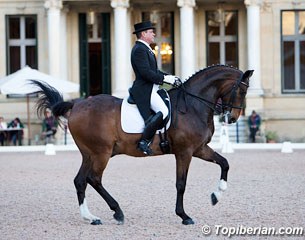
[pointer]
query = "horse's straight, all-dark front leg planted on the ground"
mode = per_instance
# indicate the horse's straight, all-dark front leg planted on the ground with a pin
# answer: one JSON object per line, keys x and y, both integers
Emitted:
{"x": 182, "y": 166}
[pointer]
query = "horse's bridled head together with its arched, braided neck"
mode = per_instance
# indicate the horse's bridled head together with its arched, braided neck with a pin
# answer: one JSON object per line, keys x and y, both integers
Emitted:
{"x": 220, "y": 82}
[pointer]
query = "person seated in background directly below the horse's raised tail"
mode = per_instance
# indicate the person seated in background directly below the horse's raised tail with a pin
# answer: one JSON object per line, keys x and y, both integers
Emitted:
{"x": 49, "y": 126}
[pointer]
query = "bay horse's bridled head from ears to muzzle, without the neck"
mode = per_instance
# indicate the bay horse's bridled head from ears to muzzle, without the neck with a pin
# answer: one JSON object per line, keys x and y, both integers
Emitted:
{"x": 233, "y": 100}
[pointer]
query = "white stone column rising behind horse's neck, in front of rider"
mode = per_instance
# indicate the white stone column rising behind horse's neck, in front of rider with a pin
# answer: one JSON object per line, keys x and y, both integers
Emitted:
{"x": 187, "y": 37}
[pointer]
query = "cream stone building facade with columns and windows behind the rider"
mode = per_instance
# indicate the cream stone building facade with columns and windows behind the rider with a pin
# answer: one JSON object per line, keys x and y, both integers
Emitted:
{"x": 89, "y": 42}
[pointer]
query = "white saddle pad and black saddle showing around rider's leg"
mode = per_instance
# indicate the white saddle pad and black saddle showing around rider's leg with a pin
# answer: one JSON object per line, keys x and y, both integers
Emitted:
{"x": 132, "y": 121}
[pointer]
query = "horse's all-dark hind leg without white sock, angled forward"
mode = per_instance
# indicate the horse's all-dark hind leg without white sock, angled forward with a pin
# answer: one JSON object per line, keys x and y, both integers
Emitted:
{"x": 95, "y": 180}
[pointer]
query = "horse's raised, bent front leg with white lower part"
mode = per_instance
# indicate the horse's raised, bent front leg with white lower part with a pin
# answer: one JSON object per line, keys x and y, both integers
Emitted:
{"x": 206, "y": 153}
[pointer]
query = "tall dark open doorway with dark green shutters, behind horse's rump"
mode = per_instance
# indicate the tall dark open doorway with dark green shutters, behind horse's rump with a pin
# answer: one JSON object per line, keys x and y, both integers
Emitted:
{"x": 95, "y": 68}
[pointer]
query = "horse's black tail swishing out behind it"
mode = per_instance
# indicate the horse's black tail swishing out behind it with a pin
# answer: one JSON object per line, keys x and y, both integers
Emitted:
{"x": 51, "y": 99}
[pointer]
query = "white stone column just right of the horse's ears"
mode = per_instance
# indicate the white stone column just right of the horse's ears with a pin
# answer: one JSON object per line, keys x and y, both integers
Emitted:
{"x": 253, "y": 35}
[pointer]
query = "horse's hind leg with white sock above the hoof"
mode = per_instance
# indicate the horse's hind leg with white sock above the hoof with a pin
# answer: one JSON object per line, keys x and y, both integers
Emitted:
{"x": 80, "y": 182}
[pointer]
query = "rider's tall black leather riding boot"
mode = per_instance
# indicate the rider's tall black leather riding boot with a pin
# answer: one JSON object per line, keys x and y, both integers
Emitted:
{"x": 151, "y": 126}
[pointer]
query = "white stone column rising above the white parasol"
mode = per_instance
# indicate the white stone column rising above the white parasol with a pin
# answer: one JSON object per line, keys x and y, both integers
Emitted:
{"x": 54, "y": 7}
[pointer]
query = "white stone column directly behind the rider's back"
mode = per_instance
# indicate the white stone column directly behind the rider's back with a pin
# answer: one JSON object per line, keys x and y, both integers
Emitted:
{"x": 121, "y": 56}
